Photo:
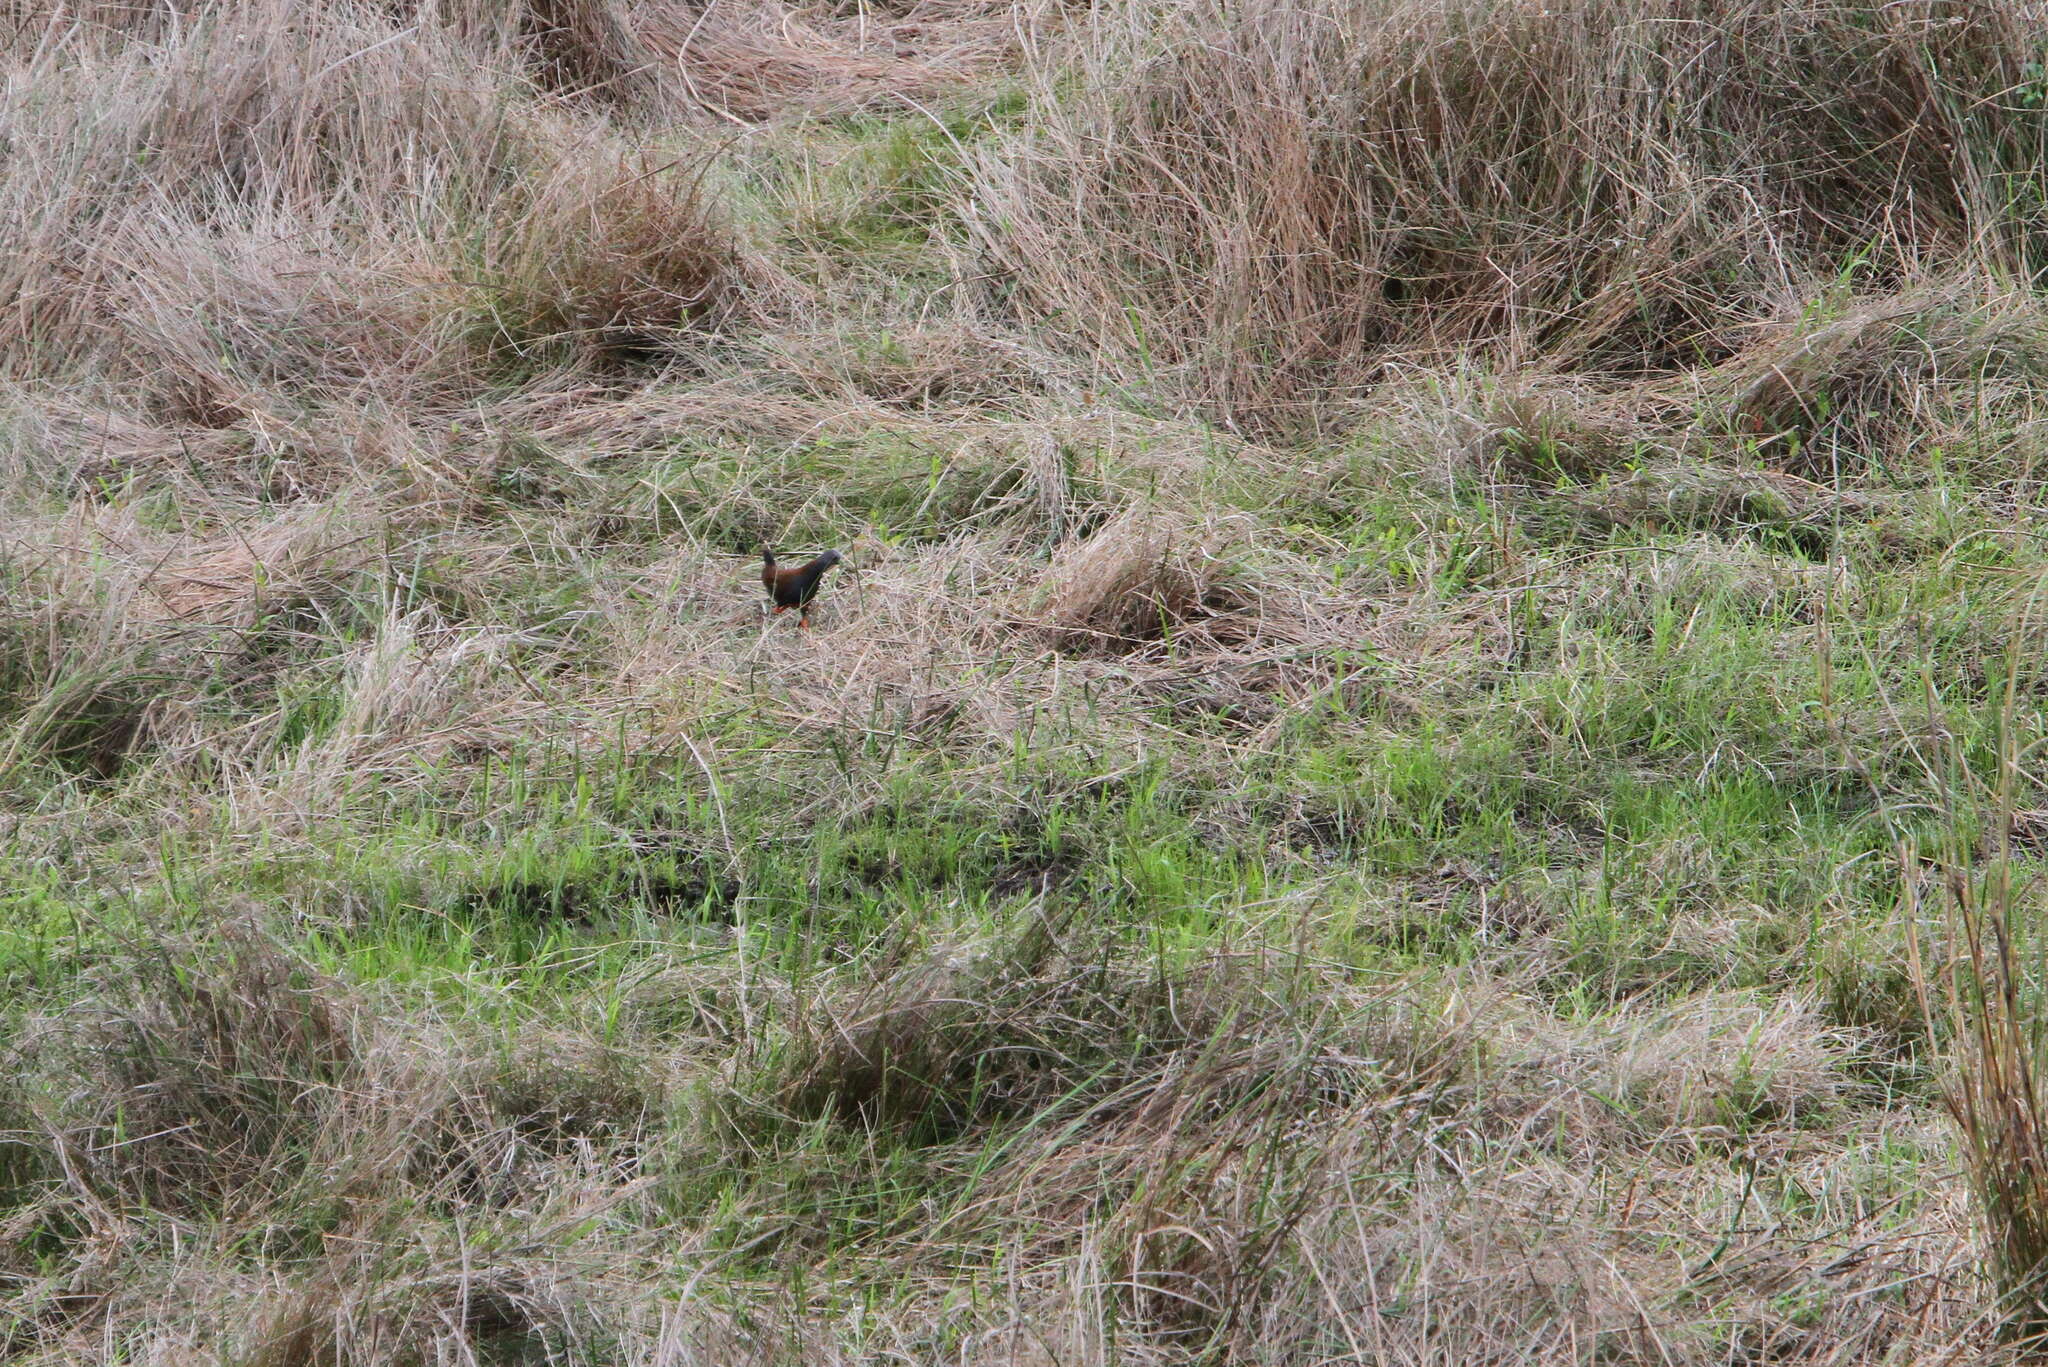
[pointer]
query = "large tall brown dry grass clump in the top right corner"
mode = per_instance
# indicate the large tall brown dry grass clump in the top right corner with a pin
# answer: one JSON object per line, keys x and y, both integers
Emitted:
{"x": 1254, "y": 208}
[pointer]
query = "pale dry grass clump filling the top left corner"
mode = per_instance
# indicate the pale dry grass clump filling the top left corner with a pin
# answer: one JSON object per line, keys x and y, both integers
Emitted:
{"x": 278, "y": 214}
